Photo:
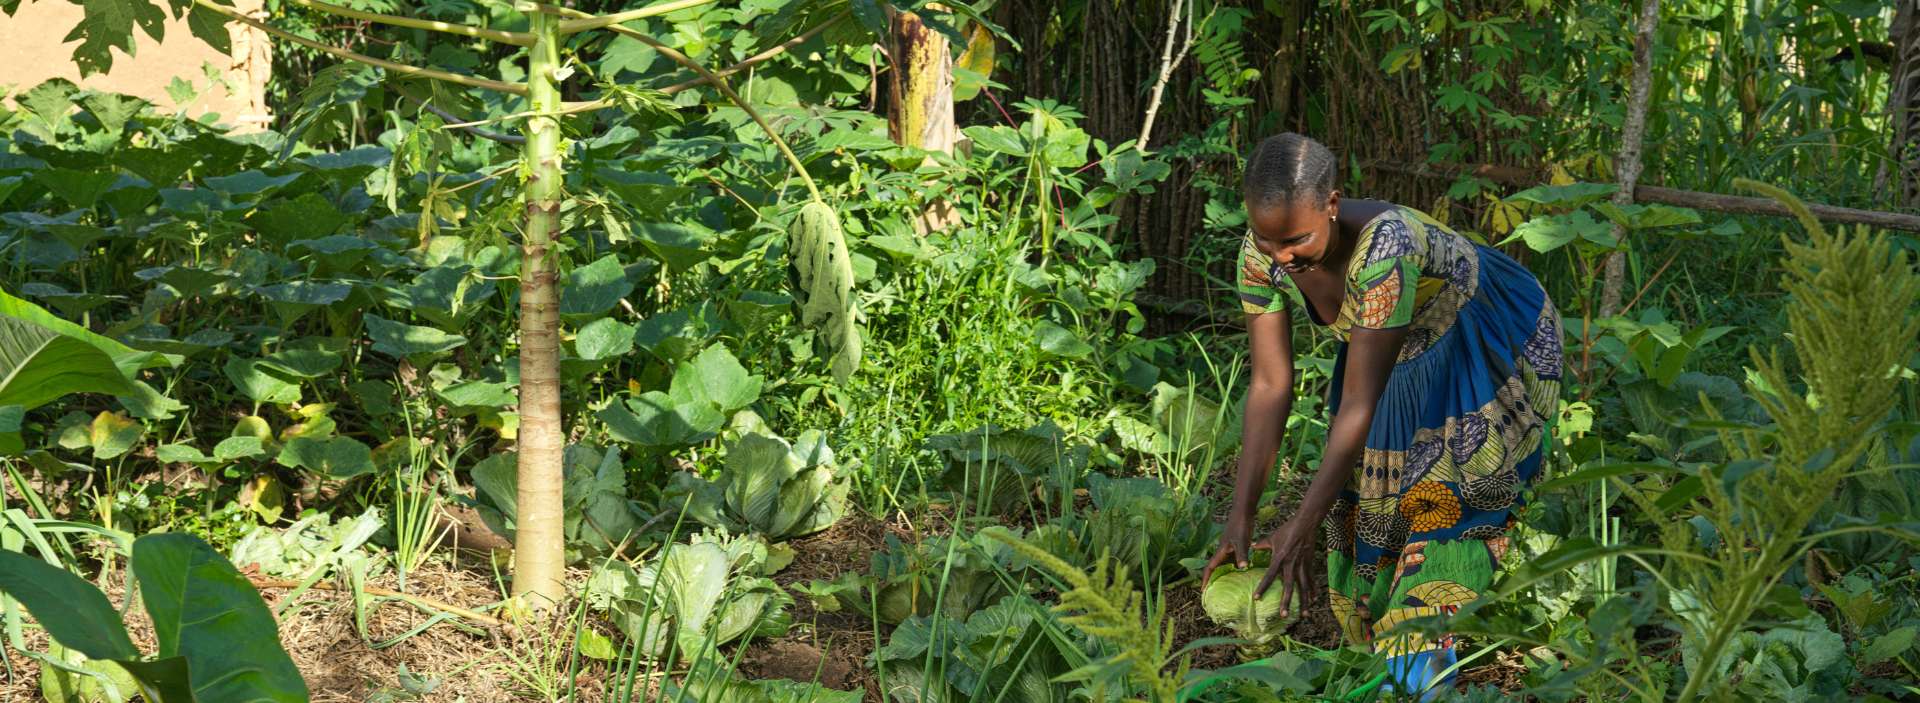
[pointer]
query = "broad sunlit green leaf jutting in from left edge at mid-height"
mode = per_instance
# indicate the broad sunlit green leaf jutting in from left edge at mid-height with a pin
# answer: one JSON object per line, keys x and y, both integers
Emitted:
{"x": 39, "y": 366}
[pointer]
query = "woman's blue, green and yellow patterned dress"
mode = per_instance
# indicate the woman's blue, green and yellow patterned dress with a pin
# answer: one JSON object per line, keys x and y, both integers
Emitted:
{"x": 1460, "y": 427}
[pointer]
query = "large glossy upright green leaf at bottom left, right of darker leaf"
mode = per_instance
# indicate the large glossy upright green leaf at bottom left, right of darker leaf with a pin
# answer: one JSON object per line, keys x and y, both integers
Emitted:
{"x": 206, "y": 612}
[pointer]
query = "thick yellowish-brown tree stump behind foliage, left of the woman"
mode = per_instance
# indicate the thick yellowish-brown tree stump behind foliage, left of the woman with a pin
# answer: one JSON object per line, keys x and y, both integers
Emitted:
{"x": 923, "y": 99}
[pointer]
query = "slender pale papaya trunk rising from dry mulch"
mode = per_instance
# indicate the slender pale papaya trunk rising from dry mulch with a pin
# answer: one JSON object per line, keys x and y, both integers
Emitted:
{"x": 540, "y": 550}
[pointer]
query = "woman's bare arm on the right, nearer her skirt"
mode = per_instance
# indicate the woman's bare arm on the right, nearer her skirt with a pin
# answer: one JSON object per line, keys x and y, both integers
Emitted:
{"x": 1370, "y": 362}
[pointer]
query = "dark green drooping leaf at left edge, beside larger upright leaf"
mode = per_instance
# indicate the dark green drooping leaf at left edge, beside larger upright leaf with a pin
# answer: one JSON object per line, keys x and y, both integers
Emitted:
{"x": 72, "y": 610}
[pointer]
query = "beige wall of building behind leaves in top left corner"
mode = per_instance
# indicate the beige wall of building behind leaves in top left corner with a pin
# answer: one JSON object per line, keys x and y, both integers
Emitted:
{"x": 32, "y": 51}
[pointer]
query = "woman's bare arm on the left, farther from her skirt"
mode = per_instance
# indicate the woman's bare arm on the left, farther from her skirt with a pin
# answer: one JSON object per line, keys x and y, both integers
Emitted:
{"x": 1264, "y": 424}
